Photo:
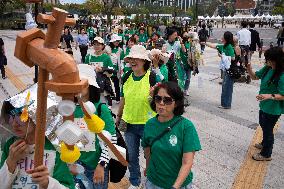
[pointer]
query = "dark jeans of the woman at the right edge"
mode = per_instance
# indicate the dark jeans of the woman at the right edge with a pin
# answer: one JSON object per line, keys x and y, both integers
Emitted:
{"x": 267, "y": 123}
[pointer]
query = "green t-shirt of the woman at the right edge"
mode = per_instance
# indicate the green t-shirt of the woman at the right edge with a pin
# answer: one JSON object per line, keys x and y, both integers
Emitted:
{"x": 274, "y": 107}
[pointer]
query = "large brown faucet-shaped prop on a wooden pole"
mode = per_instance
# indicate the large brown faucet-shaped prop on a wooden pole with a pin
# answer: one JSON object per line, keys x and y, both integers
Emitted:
{"x": 33, "y": 47}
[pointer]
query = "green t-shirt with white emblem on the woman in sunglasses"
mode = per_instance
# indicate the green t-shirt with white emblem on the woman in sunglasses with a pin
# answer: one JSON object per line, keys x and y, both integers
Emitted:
{"x": 167, "y": 152}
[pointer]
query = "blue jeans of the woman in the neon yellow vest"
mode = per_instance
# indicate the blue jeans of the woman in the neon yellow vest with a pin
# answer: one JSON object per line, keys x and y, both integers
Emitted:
{"x": 133, "y": 136}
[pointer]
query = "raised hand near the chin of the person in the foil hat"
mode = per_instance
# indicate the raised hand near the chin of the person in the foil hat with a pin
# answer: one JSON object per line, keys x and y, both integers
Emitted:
{"x": 17, "y": 151}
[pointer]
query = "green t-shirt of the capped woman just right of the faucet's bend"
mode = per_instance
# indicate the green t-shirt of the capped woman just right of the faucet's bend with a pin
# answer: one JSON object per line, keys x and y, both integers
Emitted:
{"x": 103, "y": 60}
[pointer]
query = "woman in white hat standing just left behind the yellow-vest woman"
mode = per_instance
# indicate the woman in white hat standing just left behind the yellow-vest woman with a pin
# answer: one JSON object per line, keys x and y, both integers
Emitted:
{"x": 115, "y": 57}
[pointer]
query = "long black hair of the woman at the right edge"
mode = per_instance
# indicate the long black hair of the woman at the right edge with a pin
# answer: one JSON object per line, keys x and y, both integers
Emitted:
{"x": 276, "y": 55}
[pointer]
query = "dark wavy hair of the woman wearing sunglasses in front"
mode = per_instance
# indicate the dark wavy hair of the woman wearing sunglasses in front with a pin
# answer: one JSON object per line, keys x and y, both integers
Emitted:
{"x": 175, "y": 92}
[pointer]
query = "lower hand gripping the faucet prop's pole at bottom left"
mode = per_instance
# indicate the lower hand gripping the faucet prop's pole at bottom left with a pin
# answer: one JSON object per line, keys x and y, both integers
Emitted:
{"x": 40, "y": 175}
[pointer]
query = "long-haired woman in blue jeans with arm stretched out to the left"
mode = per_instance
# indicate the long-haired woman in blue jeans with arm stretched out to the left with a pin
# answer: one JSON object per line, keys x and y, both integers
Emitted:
{"x": 227, "y": 54}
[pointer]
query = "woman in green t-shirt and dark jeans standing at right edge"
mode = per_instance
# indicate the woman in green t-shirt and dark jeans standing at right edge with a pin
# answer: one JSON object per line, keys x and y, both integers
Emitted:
{"x": 271, "y": 96}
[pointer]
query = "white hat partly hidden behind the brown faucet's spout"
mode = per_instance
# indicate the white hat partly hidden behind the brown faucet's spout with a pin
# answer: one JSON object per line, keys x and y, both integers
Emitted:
{"x": 87, "y": 72}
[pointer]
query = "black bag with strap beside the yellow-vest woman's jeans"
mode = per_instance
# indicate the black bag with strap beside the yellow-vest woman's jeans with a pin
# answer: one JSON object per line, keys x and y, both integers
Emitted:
{"x": 116, "y": 169}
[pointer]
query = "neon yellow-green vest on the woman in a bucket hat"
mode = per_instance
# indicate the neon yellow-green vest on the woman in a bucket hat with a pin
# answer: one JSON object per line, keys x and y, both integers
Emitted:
{"x": 137, "y": 109}
